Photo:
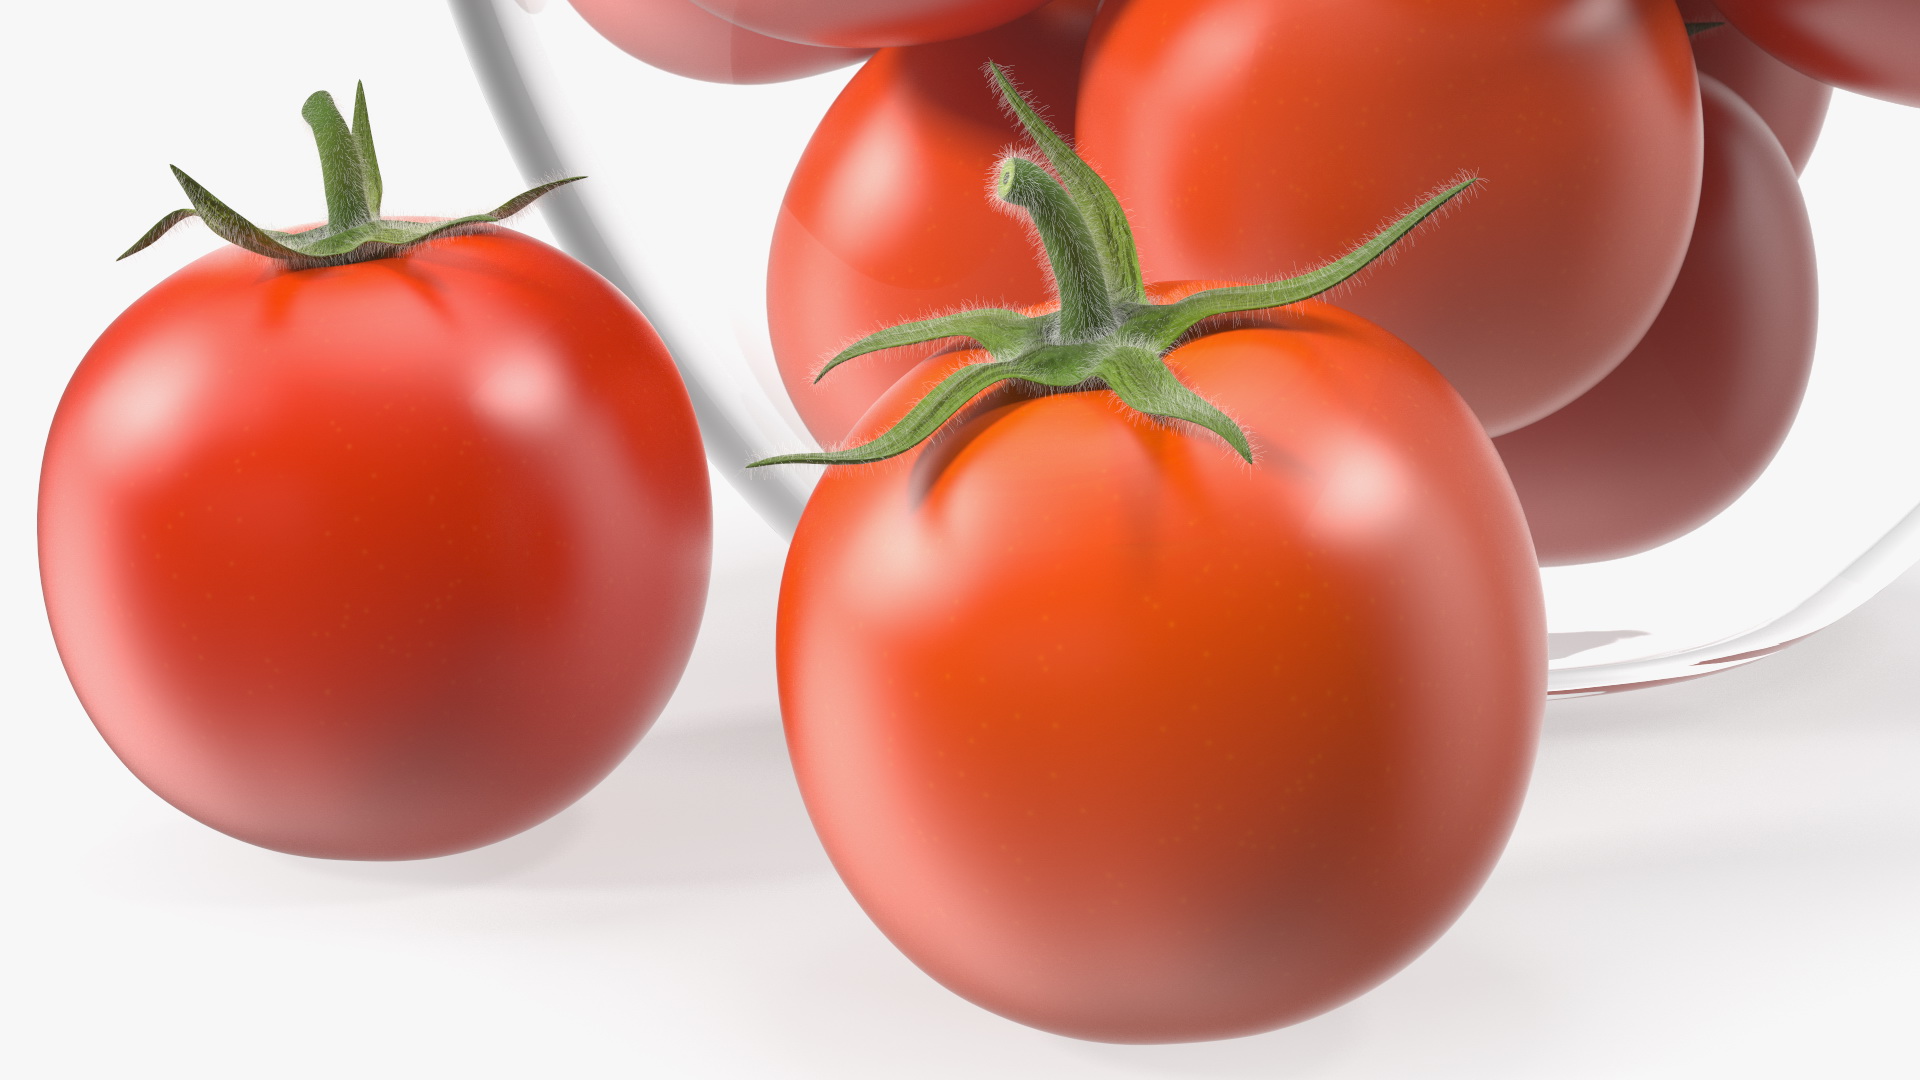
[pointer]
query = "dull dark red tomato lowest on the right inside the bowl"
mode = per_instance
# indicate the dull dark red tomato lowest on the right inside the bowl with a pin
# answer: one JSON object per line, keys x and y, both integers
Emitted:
{"x": 1694, "y": 416}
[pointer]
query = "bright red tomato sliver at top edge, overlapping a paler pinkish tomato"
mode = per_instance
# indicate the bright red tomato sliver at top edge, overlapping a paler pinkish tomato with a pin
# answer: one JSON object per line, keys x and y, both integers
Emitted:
{"x": 869, "y": 24}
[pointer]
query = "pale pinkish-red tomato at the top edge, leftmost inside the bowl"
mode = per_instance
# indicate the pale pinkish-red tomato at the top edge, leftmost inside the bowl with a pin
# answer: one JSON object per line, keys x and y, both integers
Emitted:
{"x": 686, "y": 39}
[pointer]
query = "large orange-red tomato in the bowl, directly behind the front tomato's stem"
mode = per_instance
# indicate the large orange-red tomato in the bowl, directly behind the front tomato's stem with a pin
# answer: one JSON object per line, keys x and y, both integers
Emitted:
{"x": 1253, "y": 139}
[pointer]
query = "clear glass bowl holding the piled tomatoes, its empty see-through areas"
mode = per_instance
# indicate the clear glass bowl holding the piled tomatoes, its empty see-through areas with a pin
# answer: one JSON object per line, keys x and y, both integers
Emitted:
{"x": 686, "y": 182}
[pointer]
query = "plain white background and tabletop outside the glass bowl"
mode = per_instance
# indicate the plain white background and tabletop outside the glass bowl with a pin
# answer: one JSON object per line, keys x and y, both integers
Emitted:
{"x": 1714, "y": 879}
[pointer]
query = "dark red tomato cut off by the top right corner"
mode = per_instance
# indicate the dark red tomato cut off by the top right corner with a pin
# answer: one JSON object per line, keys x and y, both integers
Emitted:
{"x": 1871, "y": 47}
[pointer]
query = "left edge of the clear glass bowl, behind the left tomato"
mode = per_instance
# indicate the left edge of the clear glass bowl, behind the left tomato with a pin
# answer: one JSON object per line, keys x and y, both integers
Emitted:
{"x": 734, "y": 428}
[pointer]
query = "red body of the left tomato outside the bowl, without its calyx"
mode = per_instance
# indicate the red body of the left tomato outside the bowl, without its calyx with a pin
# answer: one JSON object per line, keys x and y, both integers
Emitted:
{"x": 375, "y": 562}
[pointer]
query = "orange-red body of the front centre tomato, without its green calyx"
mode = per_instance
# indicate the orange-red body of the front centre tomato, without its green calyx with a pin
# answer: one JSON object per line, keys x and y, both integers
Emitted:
{"x": 1130, "y": 741}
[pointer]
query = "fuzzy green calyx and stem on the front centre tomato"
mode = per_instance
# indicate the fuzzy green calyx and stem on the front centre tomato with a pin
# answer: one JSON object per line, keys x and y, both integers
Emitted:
{"x": 1107, "y": 335}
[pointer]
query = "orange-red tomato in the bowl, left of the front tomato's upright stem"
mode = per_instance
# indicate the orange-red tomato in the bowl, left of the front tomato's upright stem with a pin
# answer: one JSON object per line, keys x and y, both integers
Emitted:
{"x": 888, "y": 216}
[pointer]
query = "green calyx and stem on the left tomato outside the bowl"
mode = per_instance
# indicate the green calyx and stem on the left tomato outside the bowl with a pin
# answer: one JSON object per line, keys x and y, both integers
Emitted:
{"x": 354, "y": 232}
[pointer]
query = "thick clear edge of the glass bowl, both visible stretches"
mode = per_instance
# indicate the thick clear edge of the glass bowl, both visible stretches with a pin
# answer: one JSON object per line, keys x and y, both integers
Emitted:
{"x": 510, "y": 64}
